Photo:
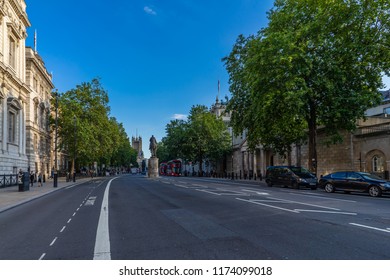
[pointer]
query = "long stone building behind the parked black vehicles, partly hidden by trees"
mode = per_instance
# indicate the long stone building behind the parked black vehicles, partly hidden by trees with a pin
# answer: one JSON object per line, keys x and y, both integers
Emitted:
{"x": 365, "y": 149}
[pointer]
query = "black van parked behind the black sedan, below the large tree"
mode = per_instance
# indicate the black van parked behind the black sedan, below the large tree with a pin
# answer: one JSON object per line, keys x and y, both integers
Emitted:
{"x": 290, "y": 176}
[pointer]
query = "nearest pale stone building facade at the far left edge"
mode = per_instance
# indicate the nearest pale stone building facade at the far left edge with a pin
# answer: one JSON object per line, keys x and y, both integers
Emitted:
{"x": 14, "y": 91}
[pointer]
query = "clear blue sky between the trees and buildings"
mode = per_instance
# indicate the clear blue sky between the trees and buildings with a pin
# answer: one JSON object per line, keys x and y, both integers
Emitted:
{"x": 155, "y": 58}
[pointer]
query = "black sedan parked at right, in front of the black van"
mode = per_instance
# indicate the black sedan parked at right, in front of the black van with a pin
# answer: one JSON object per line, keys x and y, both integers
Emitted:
{"x": 350, "y": 181}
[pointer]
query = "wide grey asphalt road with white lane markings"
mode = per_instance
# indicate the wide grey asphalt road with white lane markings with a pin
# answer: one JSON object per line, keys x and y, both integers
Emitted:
{"x": 136, "y": 218}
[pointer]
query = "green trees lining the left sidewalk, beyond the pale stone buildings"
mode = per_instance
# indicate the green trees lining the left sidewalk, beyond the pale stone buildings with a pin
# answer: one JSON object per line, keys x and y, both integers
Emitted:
{"x": 85, "y": 129}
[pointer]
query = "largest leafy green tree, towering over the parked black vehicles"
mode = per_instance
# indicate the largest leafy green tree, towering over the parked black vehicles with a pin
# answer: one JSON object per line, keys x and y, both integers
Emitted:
{"x": 317, "y": 64}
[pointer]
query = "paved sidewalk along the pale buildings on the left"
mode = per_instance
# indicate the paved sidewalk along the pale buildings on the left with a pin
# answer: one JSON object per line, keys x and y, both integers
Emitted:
{"x": 10, "y": 197}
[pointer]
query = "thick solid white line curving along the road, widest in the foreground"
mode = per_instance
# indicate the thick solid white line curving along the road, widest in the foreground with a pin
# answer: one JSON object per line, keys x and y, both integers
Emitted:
{"x": 102, "y": 249}
